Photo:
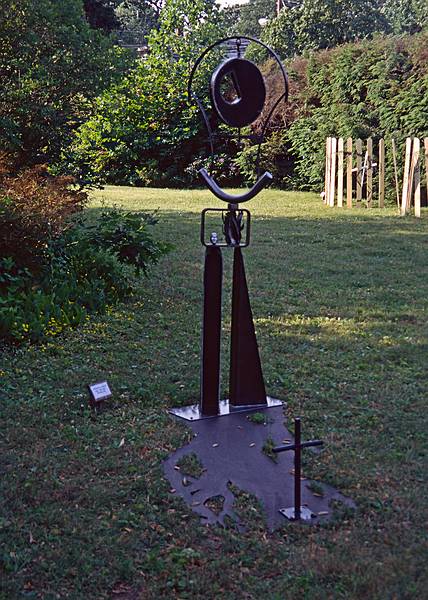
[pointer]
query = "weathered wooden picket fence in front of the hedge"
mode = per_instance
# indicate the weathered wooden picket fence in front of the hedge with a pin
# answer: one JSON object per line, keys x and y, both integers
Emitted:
{"x": 350, "y": 166}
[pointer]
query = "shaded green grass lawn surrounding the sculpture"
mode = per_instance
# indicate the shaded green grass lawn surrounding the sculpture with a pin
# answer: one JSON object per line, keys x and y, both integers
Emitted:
{"x": 339, "y": 300}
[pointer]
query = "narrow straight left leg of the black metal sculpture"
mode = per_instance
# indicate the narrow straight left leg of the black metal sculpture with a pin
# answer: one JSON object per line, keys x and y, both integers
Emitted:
{"x": 210, "y": 375}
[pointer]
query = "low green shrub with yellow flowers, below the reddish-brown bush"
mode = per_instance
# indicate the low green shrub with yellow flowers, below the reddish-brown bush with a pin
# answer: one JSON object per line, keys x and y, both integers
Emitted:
{"x": 85, "y": 270}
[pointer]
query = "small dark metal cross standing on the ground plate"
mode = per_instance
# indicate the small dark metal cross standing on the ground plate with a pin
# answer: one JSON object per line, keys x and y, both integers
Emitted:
{"x": 297, "y": 512}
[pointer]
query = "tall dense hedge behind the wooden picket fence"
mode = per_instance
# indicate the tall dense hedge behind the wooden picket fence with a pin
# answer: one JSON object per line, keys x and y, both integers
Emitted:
{"x": 377, "y": 88}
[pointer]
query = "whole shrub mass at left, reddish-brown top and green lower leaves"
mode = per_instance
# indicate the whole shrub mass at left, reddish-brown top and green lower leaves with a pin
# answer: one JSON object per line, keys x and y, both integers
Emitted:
{"x": 66, "y": 269}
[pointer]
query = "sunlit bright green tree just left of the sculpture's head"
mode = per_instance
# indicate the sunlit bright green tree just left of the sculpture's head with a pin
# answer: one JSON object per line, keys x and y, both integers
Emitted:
{"x": 139, "y": 125}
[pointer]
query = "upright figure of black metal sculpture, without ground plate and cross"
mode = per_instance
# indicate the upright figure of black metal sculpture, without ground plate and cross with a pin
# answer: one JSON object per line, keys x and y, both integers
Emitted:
{"x": 246, "y": 384}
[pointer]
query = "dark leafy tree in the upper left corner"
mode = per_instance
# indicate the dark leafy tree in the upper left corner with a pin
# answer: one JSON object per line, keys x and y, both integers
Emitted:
{"x": 51, "y": 64}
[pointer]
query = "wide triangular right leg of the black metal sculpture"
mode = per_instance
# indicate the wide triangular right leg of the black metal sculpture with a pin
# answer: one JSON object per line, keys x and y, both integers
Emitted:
{"x": 246, "y": 383}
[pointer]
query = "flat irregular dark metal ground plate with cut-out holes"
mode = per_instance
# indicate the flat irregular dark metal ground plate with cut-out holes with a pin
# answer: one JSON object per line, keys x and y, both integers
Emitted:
{"x": 232, "y": 456}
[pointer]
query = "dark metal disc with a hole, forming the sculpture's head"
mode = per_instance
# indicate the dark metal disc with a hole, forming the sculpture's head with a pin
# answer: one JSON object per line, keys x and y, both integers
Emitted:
{"x": 250, "y": 92}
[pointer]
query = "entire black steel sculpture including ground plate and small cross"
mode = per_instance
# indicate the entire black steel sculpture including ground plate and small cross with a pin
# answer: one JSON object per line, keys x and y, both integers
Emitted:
{"x": 233, "y": 452}
